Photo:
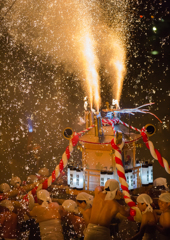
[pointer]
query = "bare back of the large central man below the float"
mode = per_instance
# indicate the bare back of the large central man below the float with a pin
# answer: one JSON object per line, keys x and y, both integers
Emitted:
{"x": 104, "y": 210}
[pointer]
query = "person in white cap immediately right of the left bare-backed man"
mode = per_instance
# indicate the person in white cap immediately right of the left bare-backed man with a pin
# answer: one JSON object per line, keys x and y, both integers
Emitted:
{"x": 73, "y": 223}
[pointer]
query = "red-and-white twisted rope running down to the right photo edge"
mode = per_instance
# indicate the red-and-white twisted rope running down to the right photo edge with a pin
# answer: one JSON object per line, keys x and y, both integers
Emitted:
{"x": 154, "y": 152}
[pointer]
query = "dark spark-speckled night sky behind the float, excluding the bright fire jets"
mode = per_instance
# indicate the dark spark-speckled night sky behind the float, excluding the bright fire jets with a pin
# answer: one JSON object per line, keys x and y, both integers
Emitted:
{"x": 39, "y": 92}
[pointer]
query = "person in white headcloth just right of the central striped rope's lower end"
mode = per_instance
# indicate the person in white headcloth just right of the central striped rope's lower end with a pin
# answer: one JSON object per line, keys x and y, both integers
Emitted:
{"x": 149, "y": 220}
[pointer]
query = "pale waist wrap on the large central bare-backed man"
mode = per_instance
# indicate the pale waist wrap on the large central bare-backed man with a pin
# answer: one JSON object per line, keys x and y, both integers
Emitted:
{"x": 98, "y": 232}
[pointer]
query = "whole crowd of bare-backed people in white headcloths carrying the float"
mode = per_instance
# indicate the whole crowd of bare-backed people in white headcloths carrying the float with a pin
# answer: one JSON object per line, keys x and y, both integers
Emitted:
{"x": 87, "y": 217}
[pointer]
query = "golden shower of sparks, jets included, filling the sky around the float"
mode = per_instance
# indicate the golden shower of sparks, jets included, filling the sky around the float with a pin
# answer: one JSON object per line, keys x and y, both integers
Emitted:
{"x": 42, "y": 69}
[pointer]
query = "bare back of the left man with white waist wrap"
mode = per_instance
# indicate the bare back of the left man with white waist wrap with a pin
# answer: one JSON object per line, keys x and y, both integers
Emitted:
{"x": 41, "y": 213}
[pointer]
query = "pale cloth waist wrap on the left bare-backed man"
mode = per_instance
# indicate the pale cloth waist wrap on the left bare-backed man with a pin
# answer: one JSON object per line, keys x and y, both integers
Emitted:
{"x": 51, "y": 230}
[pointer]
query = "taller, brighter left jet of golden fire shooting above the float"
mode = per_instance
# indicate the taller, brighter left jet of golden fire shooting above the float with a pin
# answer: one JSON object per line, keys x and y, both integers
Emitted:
{"x": 91, "y": 65}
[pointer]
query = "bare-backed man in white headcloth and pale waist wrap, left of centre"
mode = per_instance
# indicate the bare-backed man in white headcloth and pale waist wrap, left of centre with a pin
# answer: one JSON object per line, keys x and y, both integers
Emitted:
{"x": 48, "y": 215}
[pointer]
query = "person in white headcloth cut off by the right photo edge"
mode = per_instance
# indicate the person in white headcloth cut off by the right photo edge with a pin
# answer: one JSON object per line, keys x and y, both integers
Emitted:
{"x": 164, "y": 219}
